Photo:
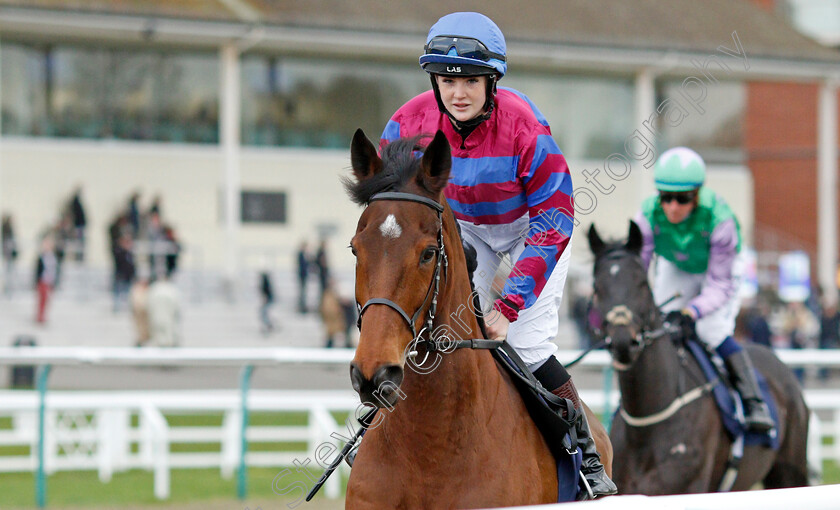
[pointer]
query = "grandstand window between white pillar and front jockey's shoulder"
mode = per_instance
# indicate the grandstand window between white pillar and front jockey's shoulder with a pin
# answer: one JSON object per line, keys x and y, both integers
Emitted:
{"x": 321, "y": 103}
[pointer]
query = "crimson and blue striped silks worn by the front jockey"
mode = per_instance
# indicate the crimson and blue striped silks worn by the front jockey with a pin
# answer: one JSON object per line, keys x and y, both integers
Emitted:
{"x": 508, "y": 167}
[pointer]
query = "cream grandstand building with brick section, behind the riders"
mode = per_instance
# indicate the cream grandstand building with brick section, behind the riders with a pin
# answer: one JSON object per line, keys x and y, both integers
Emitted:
{"x": 239, "y": 113}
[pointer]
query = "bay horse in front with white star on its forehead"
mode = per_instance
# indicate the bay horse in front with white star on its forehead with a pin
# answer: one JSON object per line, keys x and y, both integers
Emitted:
{"x": 457, "y": 435}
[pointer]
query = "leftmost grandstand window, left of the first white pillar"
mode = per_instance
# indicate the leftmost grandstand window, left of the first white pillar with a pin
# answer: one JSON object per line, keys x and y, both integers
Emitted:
{"x": 82, "y": 92}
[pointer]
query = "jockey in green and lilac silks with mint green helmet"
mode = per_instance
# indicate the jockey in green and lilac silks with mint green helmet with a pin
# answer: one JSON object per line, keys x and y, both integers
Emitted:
{"x": 698, "y": 241}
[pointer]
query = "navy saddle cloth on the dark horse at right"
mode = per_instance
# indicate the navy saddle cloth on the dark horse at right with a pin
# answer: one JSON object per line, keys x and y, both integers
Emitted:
{"x": 723, "y": 393}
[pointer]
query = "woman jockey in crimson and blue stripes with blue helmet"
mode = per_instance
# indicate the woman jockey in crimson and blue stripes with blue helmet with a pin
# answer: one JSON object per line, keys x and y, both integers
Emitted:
{"x": 510, "y": 190}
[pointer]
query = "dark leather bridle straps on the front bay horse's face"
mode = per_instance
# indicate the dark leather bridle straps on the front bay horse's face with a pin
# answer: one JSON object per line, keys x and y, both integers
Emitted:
{"x": 434, "y": 286}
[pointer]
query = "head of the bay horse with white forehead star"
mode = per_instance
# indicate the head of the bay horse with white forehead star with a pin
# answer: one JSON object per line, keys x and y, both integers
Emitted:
{"x": 399, "y": 255}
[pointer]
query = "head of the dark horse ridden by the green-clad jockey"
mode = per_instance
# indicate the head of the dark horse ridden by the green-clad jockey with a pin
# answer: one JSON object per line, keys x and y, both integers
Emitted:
{"x": 622, "y": 295}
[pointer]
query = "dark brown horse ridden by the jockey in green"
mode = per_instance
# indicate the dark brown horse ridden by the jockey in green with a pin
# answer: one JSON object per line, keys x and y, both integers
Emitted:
{"x": 677, "y": 443}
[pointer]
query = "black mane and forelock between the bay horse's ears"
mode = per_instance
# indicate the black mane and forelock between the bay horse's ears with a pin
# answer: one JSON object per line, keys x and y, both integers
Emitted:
{"x": 399, "y": 166}
